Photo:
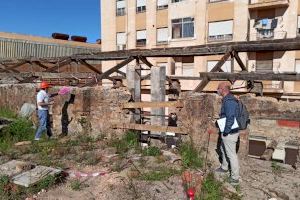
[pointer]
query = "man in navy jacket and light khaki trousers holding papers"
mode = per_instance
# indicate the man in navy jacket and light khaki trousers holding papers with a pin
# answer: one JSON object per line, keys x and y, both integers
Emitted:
{"x": 229, "y": 136}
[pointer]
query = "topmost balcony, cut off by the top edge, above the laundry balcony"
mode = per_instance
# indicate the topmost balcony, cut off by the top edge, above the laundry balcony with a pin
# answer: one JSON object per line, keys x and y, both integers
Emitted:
{"x": 266, "y": 4}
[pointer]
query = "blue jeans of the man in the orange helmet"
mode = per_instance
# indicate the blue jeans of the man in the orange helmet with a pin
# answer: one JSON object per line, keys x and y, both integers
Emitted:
{"x": 44, "y": 124}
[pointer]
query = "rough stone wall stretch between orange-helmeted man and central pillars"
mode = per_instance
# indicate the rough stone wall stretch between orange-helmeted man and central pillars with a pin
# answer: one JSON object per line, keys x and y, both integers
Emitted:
{"x": 92, "y": 111}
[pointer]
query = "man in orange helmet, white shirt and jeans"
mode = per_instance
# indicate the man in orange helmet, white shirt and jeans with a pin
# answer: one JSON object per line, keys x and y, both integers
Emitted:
{"x": 43, "y": 102}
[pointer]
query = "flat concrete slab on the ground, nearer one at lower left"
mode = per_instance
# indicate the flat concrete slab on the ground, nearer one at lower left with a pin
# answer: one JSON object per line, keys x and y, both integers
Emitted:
{"x": 35, "y": 175}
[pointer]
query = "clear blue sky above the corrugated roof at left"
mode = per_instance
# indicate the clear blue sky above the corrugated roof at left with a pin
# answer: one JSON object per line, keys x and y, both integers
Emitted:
{"x": 44, "y": 17}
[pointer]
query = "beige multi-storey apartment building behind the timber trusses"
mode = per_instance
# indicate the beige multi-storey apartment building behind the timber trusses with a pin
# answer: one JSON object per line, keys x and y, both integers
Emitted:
{"x": 132, "y": 24}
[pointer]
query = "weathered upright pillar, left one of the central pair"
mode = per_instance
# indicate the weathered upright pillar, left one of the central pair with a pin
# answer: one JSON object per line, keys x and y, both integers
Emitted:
{"x": 134, "y": 86}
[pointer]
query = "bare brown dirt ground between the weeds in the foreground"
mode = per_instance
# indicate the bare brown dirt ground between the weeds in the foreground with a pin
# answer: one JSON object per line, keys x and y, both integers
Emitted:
{"x": 259, "y": 180}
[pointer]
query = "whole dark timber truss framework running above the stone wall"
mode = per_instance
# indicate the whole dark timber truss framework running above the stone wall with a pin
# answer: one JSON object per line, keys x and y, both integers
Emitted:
{"x": 51, "y": 66}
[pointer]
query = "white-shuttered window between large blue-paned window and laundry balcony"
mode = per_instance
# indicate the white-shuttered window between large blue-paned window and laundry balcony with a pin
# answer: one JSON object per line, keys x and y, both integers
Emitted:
{"x": 220, "y": 31}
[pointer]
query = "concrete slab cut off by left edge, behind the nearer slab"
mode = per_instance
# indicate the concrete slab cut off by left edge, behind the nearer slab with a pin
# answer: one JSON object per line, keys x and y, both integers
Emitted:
{"x": 13, "y": 167}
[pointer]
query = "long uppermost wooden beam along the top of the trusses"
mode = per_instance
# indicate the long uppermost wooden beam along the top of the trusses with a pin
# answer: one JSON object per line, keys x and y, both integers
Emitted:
{"x": 200, "y": 50}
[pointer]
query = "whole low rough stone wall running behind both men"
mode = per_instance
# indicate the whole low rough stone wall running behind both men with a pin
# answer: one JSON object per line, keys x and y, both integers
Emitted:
{"x": 95, "y": 110}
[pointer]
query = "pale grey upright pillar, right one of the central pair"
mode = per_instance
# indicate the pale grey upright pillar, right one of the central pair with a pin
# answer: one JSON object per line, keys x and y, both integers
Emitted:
{"x": 158, "y": 93}
